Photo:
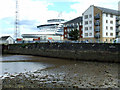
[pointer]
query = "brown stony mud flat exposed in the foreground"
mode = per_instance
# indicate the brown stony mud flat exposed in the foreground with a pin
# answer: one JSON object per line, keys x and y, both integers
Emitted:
{"x": 68, "y": 75}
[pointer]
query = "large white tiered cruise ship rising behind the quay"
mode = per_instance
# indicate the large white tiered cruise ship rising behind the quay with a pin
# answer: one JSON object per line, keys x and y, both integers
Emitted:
{"x": 53, "y": 31}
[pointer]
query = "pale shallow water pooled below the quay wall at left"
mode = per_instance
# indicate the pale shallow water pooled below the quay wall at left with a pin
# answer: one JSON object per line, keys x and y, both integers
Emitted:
{"x": 22, "y": 63}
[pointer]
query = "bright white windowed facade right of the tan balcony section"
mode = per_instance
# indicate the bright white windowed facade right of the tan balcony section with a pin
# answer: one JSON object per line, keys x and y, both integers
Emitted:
{"x": 108, "y": 25}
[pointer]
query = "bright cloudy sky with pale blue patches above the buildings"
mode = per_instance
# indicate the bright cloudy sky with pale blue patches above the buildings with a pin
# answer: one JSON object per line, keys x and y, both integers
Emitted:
{"x": 36, "y": 12}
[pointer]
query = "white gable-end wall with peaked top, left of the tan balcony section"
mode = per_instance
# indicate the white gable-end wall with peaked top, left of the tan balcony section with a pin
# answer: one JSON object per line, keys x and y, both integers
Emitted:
{"x": 88, "y": 17}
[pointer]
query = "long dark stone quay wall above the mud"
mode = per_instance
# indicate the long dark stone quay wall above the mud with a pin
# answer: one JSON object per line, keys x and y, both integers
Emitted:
{"x": 75, "y": 51}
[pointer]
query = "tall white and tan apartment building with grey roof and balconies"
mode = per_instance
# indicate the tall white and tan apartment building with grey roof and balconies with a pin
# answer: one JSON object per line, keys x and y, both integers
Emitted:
{"x": 101, "y": 24}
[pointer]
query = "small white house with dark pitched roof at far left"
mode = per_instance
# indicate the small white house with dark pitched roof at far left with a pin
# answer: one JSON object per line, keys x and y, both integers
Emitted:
{"x": 6, "y": 40}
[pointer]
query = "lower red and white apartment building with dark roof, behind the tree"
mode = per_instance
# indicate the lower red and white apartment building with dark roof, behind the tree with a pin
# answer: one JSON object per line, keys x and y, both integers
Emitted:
{"x": 71, "y": 25}
